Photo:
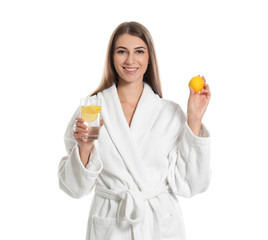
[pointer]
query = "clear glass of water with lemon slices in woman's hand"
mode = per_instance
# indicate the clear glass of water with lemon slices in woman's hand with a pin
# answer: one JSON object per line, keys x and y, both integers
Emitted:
{"x": 90, "y": 111}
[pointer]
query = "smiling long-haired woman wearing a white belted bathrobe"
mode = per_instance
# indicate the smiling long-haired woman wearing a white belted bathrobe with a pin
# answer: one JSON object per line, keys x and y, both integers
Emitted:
{"x": 148, "y": 150}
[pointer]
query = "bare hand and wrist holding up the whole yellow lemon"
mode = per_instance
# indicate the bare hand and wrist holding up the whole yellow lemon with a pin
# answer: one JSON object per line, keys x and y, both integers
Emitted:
{"x": 197, "y": 104}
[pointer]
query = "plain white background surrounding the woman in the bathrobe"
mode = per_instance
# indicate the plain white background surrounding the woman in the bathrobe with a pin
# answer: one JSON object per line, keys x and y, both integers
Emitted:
{"x": 52, "y": 53}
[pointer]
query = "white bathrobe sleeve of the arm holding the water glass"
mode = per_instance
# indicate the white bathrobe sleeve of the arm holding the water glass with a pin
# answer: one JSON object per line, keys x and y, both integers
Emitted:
{"x": 74, "y": 178}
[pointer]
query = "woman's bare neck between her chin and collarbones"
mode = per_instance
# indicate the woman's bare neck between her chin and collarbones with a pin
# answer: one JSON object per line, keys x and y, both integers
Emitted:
{"x": 129, "y": 92}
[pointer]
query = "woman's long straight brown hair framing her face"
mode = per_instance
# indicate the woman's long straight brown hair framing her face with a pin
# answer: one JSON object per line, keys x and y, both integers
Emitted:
{"x": 110, "y": 75}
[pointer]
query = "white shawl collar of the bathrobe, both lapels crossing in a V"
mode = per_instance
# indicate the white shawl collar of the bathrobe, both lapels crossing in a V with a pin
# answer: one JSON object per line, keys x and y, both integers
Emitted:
{"x": 122, "y": 135}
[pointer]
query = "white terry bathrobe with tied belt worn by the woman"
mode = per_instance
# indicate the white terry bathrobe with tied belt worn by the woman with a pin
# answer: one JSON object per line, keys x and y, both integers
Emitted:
{"x": 138, "y": 170}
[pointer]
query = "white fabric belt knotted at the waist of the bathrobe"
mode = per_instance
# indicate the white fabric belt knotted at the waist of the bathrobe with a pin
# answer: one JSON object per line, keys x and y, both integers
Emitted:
{"x": 131, "y": 206}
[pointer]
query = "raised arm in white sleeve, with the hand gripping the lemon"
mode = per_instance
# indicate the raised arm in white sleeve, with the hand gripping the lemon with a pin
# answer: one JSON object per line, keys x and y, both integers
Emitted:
{"x": 189, "y": 169}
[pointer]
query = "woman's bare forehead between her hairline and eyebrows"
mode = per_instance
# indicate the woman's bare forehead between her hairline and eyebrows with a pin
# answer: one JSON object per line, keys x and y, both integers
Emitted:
{"x": 129, "y": 41}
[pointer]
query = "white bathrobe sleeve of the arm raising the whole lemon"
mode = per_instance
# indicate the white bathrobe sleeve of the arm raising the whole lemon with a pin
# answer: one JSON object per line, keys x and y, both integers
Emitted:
{"x": 189, "y": 160}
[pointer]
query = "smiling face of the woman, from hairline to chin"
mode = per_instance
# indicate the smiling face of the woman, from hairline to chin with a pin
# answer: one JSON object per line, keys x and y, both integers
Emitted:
{"x": 131, "y": 58}
